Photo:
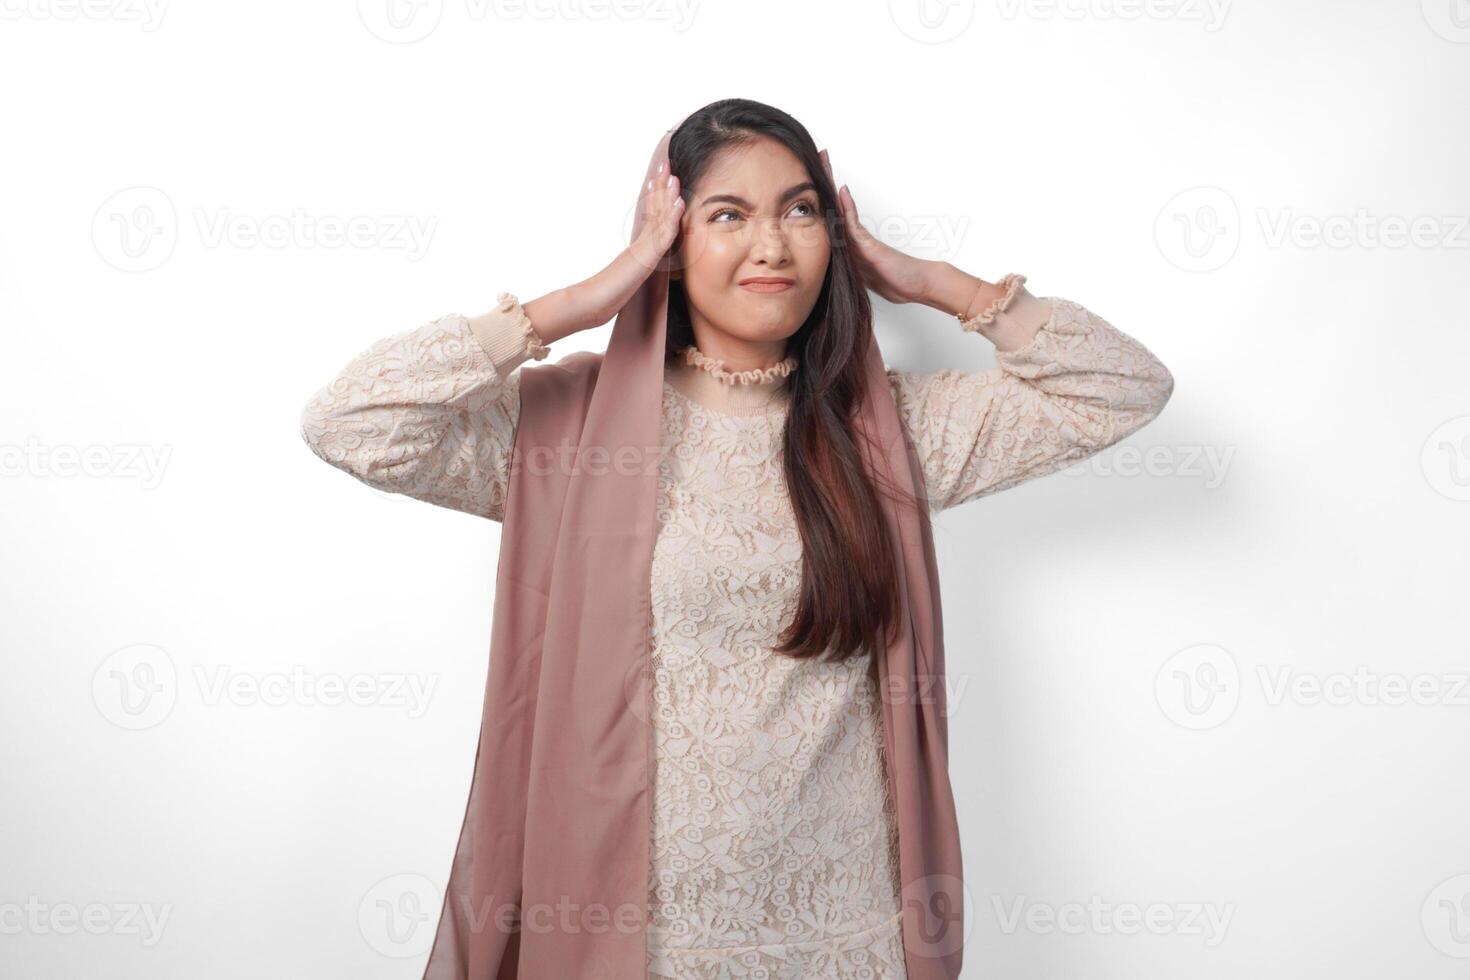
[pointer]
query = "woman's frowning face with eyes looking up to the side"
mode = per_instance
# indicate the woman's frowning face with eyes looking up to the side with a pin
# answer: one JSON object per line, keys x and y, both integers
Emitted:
{"x": 755, "y": 215}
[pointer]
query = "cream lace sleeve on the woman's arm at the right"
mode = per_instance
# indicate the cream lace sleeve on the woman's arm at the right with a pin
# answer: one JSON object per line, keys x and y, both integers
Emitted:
{"x": 1068, "y": 384}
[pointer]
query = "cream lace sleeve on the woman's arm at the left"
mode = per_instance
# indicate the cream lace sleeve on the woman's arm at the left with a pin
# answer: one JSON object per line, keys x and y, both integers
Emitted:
{"x": 431, "y": 412}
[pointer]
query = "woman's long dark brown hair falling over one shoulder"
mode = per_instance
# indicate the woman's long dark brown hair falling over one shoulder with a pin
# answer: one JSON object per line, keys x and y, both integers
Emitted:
{"x": 849, "y": 591}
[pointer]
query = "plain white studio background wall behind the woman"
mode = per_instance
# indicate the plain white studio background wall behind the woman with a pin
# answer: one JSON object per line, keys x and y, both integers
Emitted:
{"x": 1136, "y": 652}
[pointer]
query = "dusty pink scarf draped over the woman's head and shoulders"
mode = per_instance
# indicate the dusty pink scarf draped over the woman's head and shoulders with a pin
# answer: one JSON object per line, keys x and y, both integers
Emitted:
{"x": 551, "y": 876}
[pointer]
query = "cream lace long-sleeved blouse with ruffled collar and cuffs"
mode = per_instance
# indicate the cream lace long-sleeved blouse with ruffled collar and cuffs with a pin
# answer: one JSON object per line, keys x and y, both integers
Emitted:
{"x": 774, "y": 846}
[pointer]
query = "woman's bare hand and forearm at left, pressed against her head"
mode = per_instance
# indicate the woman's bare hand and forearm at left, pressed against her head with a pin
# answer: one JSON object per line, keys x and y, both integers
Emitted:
{"x": 598, "y": 300}
